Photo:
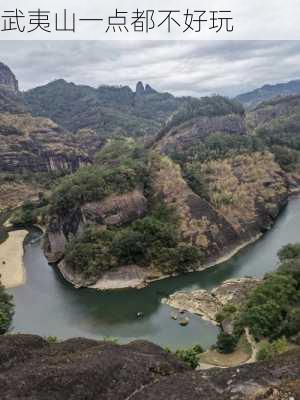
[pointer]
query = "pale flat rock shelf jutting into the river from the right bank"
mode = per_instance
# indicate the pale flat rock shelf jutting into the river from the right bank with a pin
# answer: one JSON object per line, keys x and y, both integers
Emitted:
{"x": 208, "y": 303}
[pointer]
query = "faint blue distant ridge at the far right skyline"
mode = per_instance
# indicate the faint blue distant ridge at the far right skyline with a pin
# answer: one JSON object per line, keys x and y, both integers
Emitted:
{"x": 268, "y": 92}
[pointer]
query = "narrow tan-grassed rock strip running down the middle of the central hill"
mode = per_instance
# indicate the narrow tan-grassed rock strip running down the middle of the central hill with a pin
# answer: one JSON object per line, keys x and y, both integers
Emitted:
{"x": 200, "y": 224}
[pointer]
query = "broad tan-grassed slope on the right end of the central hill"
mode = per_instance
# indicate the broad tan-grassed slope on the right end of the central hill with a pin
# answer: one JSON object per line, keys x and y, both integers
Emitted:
{"x": 248, "y": 190}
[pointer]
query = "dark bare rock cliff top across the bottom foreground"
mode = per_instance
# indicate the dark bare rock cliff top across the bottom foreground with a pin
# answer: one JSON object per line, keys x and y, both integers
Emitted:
{"x": 33, "y": 369}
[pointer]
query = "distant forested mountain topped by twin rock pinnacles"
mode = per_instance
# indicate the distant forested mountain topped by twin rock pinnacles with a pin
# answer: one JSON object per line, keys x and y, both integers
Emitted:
{"x": 107, "y": 110}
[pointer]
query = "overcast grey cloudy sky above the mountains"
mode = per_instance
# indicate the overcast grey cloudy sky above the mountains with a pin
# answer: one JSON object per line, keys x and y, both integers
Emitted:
{"x": 183, "y": 68}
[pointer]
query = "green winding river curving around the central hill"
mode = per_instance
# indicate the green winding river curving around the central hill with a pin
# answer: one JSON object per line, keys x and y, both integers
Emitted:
{"x": 47, "y": 305}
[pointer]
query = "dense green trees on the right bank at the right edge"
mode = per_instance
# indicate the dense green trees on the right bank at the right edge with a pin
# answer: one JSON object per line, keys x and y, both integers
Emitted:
{"x": 272, "y": 310}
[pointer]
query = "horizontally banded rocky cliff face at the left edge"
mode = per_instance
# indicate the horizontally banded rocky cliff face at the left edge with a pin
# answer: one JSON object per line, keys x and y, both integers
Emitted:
{"x": 39, "y": 145}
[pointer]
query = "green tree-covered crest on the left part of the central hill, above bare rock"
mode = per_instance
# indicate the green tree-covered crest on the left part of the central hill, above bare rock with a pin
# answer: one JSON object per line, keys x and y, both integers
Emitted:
{"x": 118, "y": 170}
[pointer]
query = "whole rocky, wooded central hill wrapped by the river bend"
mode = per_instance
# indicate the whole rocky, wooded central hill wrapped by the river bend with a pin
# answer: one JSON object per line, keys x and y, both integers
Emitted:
{"x": 205, "y": 187}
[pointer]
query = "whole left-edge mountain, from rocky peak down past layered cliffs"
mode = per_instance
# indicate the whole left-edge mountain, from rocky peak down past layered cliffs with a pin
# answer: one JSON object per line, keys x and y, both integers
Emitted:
{"x": 32, "y": 149}
